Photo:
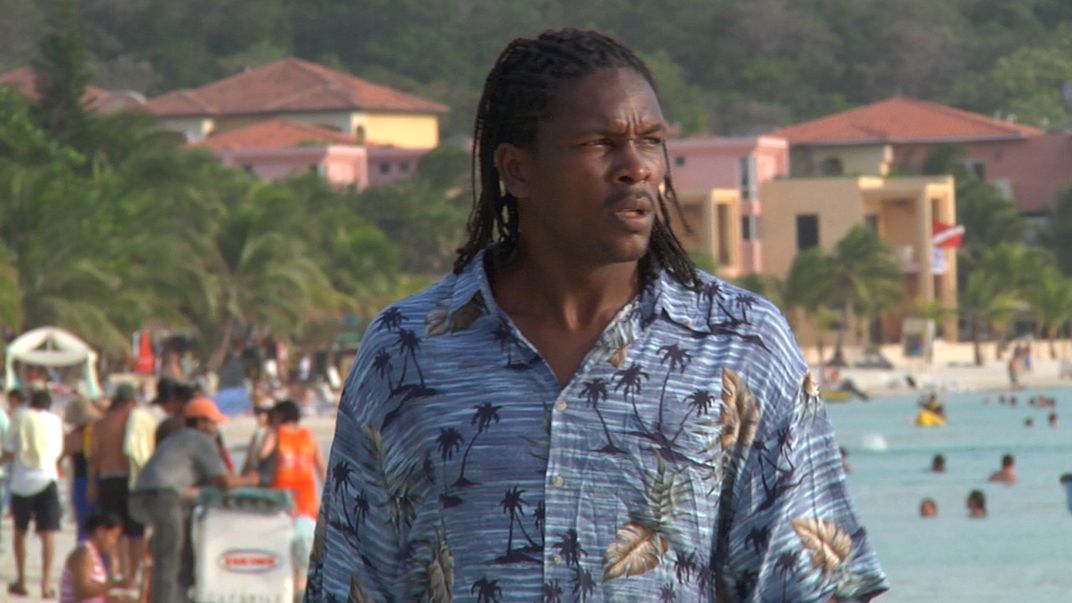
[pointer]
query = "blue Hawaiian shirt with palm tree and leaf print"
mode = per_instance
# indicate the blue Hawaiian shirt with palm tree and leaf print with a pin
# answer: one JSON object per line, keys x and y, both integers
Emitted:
{"x": 690, "y": 459}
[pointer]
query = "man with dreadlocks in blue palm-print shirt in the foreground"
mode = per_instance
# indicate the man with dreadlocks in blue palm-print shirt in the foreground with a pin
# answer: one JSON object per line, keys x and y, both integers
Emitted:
{"x": 577, "y": 413}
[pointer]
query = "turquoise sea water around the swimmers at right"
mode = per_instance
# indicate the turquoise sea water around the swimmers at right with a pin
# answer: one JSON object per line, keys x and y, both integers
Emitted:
{"x": 1021, "y": 553}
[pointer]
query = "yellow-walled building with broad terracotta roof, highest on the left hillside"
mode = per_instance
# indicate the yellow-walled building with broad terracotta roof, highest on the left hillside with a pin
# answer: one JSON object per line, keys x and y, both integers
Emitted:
{"x": 305, "y": 93}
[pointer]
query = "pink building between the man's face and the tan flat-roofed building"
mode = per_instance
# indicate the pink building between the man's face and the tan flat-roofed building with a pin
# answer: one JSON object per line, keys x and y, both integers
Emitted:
{"x": 699, "y": 166}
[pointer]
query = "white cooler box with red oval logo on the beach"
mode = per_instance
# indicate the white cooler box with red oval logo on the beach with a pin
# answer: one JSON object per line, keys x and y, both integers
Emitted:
{"x": 243, "y": 545}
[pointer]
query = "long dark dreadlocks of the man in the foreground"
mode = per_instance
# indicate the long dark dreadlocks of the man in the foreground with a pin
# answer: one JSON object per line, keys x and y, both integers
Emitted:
{"x": 516, "y": 96}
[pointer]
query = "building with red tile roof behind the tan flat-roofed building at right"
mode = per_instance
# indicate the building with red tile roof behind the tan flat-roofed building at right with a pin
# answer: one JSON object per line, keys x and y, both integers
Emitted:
{"x": 1029, "y": 165}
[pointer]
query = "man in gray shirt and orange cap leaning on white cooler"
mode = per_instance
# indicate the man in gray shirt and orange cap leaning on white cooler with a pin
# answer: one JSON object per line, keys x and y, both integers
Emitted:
{"x": 181, "y": 464}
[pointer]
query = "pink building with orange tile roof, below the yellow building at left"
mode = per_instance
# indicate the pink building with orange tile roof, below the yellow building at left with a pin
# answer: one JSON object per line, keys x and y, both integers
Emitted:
{"x": 279, "y": 149}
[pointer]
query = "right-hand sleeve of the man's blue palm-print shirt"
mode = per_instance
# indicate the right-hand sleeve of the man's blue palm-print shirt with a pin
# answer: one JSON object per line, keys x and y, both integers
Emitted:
{"x": 793, "y": 533}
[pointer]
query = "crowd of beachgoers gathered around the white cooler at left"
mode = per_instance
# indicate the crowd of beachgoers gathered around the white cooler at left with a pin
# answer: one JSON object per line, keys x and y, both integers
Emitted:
{"x": 129, "y": 473}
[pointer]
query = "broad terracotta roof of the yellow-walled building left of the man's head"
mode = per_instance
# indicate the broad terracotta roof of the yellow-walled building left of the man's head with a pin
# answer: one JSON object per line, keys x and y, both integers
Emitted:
{"x": 289, "y": 86}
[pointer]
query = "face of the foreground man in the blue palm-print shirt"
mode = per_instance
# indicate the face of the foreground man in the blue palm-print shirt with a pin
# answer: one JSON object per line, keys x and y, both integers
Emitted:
{"x": 589, "y": 185}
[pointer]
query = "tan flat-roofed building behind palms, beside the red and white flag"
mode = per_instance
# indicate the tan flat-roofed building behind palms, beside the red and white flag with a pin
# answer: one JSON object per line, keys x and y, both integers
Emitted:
{"x": 803, "y": 213}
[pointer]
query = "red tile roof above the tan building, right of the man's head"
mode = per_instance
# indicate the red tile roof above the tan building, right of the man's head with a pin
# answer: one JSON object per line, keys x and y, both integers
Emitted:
{"x": 901, "y": 120}
